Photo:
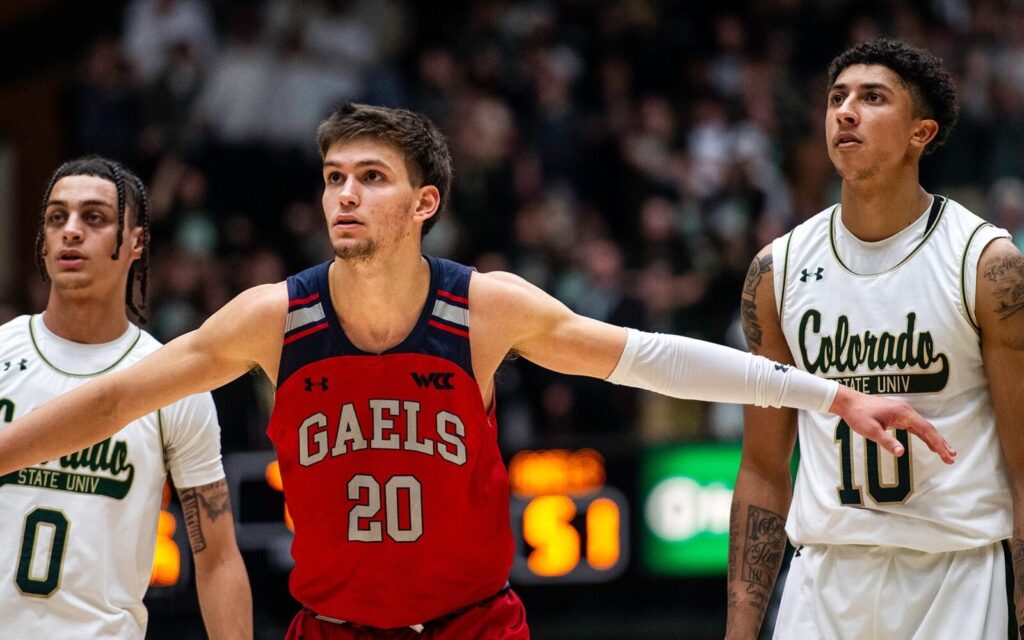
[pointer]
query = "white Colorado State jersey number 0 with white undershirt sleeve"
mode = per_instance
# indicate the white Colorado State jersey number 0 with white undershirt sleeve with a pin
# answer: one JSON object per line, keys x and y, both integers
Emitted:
{"x": 78, "y": 534}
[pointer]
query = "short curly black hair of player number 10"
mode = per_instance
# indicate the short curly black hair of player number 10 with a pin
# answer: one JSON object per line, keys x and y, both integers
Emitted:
{"x": 922, "y": 73}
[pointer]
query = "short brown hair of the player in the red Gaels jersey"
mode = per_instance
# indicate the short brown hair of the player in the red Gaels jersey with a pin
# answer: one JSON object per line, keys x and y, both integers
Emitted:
{"x": 428, "y": 158}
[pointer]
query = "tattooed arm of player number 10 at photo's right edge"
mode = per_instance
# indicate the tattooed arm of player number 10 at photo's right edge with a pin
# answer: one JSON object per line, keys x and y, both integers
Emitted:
{"x": 1000, "y": 310}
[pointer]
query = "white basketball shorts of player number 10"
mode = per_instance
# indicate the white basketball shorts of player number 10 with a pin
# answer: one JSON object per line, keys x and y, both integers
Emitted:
{"x": 854, "y": 592}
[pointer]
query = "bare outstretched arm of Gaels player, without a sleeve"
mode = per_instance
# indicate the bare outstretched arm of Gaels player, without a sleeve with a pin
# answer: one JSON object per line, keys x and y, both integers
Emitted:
{"x": 246, "y": 333}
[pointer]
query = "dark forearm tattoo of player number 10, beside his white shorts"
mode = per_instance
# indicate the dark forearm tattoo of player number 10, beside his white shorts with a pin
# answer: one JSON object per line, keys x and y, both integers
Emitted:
{"x": 763, "y": 549}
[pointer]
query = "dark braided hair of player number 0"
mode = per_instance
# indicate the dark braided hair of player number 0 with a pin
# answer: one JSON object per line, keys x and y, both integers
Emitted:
{"x": 132, "y": 195}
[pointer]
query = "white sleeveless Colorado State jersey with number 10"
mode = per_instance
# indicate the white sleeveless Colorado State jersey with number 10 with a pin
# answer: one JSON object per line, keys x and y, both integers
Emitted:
{"x": 909, "y": 332}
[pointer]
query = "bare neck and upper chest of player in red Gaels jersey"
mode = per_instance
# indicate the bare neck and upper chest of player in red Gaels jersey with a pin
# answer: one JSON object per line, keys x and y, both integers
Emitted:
{"x": 378, "y": 304}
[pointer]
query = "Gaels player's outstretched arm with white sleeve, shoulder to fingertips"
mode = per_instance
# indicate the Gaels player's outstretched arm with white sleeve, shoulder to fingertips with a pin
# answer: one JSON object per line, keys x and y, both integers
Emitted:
{"x": 522, "y": 318}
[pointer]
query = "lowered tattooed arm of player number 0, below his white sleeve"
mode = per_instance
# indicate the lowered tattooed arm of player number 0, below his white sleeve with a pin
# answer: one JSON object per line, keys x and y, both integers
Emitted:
{"x": 222, "y": 581}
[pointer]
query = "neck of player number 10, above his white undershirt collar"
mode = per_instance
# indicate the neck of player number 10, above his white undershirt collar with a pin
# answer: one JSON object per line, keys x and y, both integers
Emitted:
{"x": 874, "y": 211}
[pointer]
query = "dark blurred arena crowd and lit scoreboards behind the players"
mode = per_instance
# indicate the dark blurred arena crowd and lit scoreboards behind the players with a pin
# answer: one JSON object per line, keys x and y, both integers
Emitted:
{"x": 628, "y": 157}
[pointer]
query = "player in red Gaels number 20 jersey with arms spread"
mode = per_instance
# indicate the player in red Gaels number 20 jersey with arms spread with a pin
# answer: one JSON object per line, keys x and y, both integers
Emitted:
{"x": 385, "y": 426}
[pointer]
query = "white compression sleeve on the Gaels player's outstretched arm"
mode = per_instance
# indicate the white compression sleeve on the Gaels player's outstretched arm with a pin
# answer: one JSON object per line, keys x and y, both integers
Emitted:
{"x": 693, "y": 369}
